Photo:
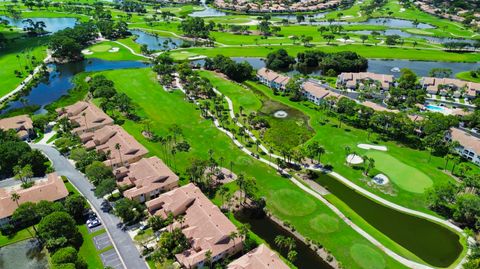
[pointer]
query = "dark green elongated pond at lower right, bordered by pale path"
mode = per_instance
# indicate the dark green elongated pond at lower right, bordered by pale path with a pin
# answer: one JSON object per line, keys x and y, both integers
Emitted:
{"x": 431, "y": 242}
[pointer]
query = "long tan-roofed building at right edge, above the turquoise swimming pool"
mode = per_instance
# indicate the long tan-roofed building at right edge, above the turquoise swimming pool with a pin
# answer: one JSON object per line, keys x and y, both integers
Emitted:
{"x": 450, "y": 87}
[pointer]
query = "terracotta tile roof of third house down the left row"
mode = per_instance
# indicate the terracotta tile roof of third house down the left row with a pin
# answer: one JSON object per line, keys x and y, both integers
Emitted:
{"x": 147, "y": 175}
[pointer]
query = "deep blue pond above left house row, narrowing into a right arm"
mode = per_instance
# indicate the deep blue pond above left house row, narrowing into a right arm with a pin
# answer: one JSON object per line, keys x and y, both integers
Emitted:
{"x": 60, "y": 81}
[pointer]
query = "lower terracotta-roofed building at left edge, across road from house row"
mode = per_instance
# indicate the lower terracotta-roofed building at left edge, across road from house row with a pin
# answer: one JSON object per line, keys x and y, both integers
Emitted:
{"x": 50, "y": 189}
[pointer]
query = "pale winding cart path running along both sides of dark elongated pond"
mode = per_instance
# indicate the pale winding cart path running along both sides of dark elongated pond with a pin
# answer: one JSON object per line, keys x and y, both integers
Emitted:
{"x": 371, "y": 239}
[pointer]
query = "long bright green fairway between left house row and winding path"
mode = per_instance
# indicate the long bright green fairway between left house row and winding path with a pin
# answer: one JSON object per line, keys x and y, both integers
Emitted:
{"x": 164, "y": 109}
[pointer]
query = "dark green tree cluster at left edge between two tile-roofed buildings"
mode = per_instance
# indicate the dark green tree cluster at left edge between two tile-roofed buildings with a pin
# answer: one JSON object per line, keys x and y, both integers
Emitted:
{"x": 17, "y": 155}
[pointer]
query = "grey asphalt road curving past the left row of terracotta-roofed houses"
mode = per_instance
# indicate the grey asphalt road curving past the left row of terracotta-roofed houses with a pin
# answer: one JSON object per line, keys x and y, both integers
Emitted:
{"x": 122, "y": 241}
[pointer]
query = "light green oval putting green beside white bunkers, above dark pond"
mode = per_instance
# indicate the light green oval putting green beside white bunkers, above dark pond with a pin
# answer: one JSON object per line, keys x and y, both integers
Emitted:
{"x": 404, "y": 176}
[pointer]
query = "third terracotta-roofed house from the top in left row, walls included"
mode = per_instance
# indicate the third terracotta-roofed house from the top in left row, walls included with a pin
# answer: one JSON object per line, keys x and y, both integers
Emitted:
{"x": 148, "y": 178}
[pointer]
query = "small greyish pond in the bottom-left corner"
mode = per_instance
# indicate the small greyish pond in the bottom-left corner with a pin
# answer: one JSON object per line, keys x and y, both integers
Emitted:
{"x": 24, "y": 254}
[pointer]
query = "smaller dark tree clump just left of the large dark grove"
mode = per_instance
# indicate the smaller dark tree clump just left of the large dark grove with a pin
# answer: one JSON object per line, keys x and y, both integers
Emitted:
{"x": 238, "y": 72}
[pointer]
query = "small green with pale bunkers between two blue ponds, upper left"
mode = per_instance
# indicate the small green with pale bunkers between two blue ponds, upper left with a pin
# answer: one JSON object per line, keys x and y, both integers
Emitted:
{"x": 101, "y": 51}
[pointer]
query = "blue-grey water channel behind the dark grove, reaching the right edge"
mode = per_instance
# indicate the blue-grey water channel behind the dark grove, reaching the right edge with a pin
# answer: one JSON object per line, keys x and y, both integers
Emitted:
{"x": 421, "y": 68}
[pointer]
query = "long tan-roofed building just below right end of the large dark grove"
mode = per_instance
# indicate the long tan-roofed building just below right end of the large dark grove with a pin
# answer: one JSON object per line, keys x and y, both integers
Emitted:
{"x": 359, "y": 81}
